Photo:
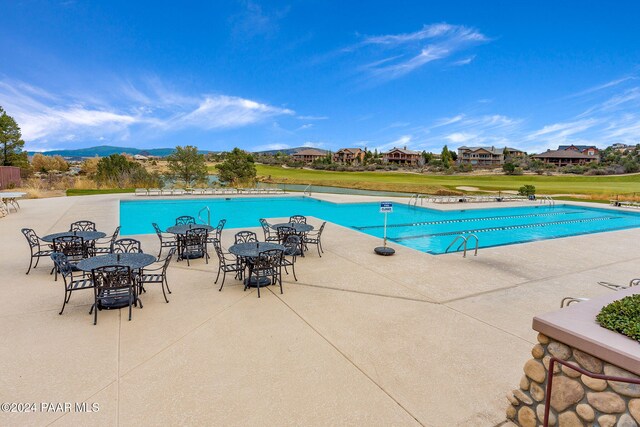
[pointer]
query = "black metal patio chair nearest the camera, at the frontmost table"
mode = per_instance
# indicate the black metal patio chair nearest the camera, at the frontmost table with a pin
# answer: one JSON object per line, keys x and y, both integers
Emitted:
{"x": 114, "y": 288}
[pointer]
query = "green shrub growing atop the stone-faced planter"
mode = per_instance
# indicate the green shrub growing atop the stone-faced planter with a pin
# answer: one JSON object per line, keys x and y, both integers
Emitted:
{"x": 622, "y": 316}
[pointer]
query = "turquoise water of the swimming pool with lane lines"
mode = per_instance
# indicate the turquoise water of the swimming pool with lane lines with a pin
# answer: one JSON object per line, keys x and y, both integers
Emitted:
{"x": 427, "y": 230}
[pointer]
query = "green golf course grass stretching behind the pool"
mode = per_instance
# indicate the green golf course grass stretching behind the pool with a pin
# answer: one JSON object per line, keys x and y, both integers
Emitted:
{"x": 597, "y": 187}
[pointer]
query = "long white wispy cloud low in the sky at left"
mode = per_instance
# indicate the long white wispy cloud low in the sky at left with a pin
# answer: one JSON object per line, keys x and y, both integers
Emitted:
{"x": 46, "y": 118}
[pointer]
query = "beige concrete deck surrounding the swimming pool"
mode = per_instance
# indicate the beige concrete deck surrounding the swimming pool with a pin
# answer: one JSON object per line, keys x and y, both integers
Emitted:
{"x": 413, "y": 339}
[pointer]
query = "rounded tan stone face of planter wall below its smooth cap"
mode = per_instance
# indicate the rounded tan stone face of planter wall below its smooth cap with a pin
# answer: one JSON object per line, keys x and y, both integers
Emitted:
{"x": 576, "y": 400}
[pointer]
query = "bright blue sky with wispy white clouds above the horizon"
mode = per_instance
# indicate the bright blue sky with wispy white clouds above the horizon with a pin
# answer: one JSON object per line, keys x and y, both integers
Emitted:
{"x": 328, "y": 74}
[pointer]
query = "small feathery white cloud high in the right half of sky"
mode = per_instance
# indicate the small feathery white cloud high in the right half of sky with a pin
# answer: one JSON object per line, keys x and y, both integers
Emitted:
{"x": 400, "y": 54}
